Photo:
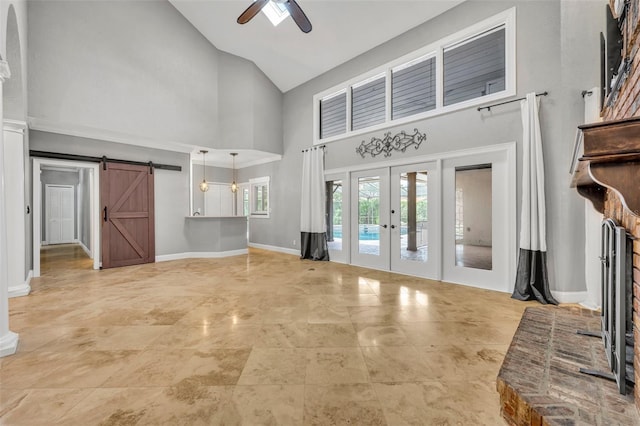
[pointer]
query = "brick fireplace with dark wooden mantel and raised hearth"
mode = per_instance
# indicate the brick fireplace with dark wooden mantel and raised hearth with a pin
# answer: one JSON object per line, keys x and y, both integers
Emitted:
{"x": 540, "y": 385}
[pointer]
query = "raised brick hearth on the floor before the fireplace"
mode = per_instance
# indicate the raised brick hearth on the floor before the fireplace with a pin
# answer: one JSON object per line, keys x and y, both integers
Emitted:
{"x": 540, "y": 383}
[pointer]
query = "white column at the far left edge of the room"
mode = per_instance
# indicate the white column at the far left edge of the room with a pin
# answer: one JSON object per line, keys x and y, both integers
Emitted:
{"x": 8, "y": 339}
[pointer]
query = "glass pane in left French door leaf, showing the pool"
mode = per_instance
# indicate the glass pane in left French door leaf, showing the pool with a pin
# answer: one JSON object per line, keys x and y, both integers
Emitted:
{"x": 369, "y": 215}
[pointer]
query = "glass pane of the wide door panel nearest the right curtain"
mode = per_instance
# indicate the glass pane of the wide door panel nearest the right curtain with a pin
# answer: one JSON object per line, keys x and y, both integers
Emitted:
{"x": 473, "y": 217}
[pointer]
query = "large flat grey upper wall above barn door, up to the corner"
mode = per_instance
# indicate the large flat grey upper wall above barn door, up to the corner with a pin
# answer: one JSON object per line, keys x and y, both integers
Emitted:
{"x": 133, "y": 68}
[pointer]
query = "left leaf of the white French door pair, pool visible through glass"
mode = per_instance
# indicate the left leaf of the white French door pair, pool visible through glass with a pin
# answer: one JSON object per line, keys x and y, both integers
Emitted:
{"x": 370, "y": 217}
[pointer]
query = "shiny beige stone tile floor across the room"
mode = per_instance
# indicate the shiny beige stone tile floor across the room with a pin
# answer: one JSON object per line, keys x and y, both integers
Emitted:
{"x": 258, "y": 339}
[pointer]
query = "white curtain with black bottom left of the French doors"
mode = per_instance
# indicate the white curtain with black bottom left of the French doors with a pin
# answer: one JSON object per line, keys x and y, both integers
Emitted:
{"x": 313, "y": 226}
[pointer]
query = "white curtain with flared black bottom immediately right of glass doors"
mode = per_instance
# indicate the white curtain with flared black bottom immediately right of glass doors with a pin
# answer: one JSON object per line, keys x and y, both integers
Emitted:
{"x": 532, "y": 280}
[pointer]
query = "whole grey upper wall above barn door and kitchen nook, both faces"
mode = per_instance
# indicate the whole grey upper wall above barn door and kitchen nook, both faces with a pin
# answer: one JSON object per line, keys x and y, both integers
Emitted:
{"x": 137, "y": 71}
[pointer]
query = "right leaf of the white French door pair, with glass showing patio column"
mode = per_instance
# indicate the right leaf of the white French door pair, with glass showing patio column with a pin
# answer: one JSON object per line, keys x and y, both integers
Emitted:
{"x": 415, "y": 247}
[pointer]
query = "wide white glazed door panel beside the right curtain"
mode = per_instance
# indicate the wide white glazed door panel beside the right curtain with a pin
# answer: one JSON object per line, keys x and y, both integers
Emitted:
{"x": 476, "y": 230}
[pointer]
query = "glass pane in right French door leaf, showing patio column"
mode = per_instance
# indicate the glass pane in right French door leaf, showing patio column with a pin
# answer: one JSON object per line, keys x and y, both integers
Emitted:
{"x": 413, "y": 233}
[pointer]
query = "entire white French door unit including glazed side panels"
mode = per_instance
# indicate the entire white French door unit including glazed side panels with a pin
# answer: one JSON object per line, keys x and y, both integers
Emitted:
{"x": 449, "y": 218}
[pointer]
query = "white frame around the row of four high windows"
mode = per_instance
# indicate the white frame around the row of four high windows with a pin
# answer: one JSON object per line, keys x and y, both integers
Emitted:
{"x": 506, "y": 18}
